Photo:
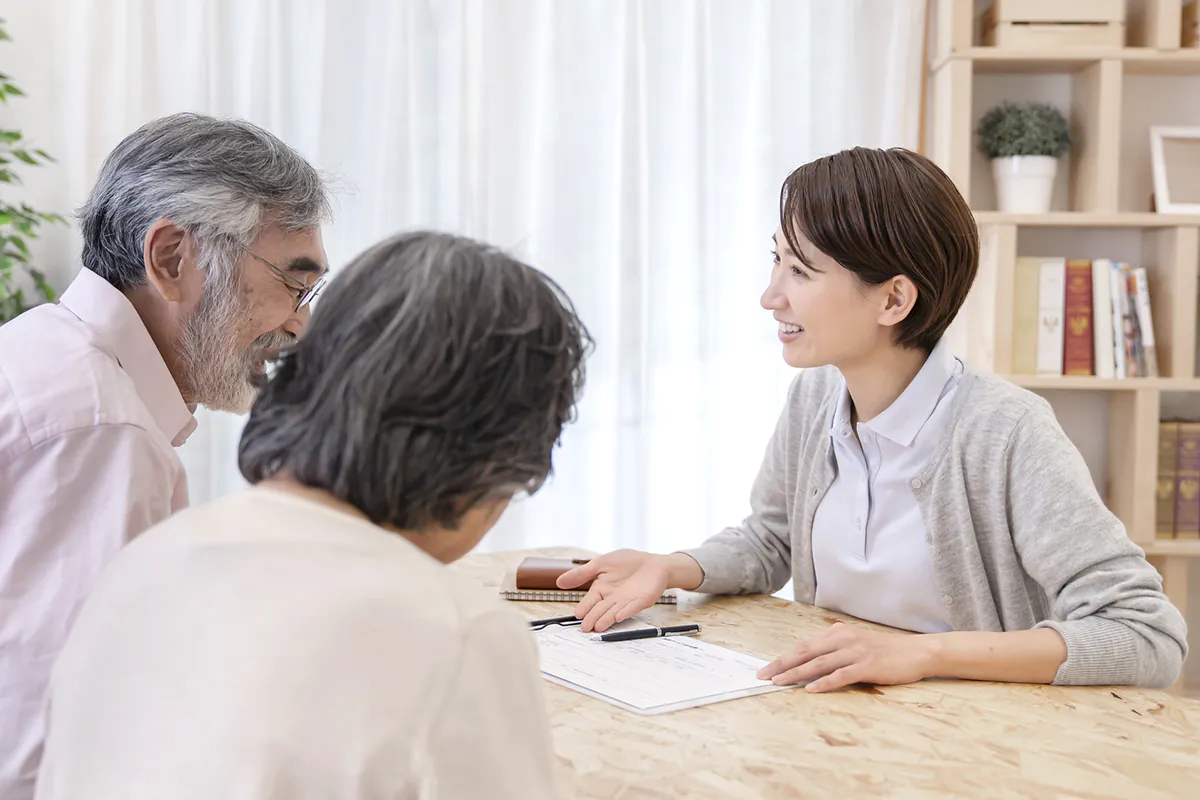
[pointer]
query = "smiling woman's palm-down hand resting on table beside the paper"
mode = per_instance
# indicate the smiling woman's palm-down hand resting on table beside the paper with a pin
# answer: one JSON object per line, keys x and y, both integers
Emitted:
{"x": 845, "y": 655}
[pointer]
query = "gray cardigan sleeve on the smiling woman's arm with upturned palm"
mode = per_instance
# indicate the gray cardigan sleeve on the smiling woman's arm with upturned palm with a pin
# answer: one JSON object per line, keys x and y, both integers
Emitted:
{"x": 757, "y": 556}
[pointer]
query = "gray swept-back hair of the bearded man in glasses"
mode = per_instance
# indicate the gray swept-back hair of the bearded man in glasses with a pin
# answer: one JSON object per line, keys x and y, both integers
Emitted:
{"x": 221, "y": 181}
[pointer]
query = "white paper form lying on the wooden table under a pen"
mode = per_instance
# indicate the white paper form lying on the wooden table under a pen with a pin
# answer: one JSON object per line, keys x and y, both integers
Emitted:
{"x": 649, "y": 676}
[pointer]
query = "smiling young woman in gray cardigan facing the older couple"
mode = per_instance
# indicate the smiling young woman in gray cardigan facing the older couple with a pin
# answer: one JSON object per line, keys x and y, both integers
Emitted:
{"x": 903, "y": 488}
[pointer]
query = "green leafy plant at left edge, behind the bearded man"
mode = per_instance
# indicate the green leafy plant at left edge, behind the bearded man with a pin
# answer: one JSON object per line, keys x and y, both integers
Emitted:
{"x": 20, "y": 224}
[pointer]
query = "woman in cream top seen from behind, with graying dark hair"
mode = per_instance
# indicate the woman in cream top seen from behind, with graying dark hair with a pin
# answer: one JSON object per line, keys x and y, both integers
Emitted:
{"x": 304, "y": 639}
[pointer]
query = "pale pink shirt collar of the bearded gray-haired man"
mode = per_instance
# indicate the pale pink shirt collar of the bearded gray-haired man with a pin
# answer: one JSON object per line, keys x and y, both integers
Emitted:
{"x": 121, "y": 332}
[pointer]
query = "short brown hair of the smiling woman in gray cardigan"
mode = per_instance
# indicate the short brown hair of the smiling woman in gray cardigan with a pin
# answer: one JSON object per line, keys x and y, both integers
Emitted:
{"x": 887, "y": 213}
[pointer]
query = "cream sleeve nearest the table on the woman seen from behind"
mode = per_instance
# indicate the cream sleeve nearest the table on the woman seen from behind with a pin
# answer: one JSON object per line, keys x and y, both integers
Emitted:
{"x": 491, "y": 738}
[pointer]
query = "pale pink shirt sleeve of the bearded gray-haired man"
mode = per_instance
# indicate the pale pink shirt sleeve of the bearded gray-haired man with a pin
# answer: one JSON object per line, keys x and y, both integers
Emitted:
{"x": 69, "y": 506}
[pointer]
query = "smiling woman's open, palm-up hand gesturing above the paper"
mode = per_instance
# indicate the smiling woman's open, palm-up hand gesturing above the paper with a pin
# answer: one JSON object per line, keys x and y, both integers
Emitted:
{"x": 626, "y": 582}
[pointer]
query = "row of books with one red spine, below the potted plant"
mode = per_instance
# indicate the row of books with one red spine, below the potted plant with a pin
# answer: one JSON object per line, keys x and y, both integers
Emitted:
{"x": 1083, "y": 317}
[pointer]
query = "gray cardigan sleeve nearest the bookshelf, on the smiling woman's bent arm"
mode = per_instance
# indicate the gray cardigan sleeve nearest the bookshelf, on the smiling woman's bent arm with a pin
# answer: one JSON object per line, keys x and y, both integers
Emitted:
{"x": 1107, "y": 600}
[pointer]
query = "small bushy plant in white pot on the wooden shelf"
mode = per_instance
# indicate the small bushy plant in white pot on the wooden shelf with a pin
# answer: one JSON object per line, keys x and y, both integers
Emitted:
{"x": 1024, "y": 142}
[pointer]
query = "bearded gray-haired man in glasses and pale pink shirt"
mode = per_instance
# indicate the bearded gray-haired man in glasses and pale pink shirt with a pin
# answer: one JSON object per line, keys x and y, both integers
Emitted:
{"x": 201, "y": 251}
